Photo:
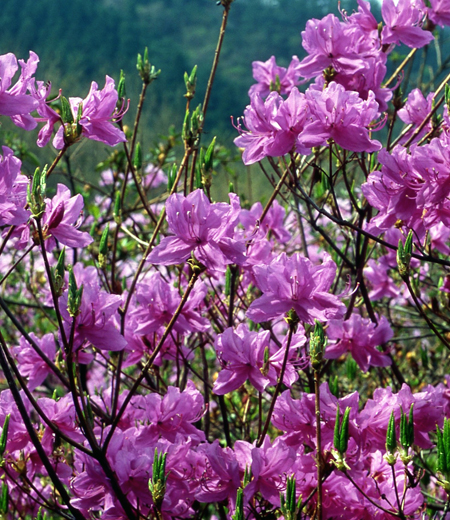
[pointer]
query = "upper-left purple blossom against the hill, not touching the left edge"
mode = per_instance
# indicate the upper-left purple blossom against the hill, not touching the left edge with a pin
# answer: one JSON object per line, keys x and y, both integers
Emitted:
{"x": 97, "y": 116}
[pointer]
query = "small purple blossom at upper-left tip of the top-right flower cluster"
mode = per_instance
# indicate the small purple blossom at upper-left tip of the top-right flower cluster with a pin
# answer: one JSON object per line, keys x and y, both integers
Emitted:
{"x": 268, "y": 75}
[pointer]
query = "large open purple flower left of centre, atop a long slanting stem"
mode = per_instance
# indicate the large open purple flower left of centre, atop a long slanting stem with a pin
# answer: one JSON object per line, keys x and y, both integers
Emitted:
{"x": 201, "y": 228}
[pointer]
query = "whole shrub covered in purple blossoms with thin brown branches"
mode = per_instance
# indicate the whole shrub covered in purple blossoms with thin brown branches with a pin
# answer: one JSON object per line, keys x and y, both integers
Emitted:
{"x": 189, "y": 358}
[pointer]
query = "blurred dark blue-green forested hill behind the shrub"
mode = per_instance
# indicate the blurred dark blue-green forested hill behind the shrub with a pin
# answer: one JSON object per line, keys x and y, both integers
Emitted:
{"x": 82, "y": 40}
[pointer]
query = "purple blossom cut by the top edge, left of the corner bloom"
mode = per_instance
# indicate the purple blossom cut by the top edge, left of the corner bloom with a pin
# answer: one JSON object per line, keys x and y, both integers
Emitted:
{"x": 403, "y": 23}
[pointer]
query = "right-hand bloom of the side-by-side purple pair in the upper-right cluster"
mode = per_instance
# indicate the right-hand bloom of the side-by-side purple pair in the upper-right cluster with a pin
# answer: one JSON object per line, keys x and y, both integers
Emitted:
{"x": 342, "y": 116}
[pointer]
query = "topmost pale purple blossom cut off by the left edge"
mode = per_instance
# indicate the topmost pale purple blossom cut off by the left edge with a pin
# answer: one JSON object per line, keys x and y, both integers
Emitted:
{"x": 14, "y": 101}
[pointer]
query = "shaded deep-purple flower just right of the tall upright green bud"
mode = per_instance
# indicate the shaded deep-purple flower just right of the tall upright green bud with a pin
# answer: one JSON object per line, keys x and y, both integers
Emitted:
{"x": 360, "y": 337}
